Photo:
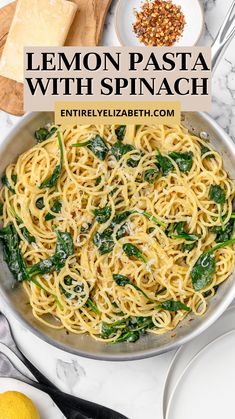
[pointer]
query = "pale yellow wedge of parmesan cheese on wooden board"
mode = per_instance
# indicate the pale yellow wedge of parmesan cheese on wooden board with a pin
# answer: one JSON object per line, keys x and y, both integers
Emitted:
{"x": 35, "y": 23}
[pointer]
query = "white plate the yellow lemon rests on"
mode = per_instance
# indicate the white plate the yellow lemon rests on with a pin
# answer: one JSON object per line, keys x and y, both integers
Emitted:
{"x": 42, "y": 401}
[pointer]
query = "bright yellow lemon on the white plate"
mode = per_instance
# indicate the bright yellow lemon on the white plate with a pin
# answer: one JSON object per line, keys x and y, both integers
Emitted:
{"x": 15, "y": 405}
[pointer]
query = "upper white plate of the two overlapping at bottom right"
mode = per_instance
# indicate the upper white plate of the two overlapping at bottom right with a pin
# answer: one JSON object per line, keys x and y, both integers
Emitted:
{"x": 206, "y": 387}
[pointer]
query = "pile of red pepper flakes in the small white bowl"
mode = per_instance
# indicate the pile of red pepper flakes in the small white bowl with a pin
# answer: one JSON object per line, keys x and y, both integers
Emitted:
{"x": 159, "y": 23}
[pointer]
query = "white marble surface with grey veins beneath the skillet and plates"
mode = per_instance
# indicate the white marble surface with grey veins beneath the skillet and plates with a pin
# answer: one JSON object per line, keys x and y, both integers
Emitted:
{"x": 134, "y": 388}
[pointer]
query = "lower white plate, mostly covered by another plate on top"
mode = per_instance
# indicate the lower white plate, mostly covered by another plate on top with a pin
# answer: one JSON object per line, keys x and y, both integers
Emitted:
{"x": 184, "y": 355}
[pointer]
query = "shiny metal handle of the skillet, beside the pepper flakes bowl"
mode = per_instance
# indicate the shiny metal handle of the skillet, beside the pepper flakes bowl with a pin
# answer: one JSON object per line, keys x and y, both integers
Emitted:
{"x": 224, "y": 37}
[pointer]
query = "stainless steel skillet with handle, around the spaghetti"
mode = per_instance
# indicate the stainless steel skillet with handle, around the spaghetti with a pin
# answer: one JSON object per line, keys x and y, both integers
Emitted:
{"x": 14, "y": 300}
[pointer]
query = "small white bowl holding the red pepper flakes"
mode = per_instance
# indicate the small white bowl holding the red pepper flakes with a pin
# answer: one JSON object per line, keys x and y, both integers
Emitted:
{"x": 124, "y": 19}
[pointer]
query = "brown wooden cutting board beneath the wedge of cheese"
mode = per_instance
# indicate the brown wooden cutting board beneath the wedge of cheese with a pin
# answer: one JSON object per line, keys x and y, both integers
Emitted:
{"x": 86, "y": 30}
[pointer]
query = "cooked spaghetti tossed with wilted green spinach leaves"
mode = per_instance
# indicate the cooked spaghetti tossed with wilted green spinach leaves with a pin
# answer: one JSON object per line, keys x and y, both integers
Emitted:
{"x": 145, "y": 213}
